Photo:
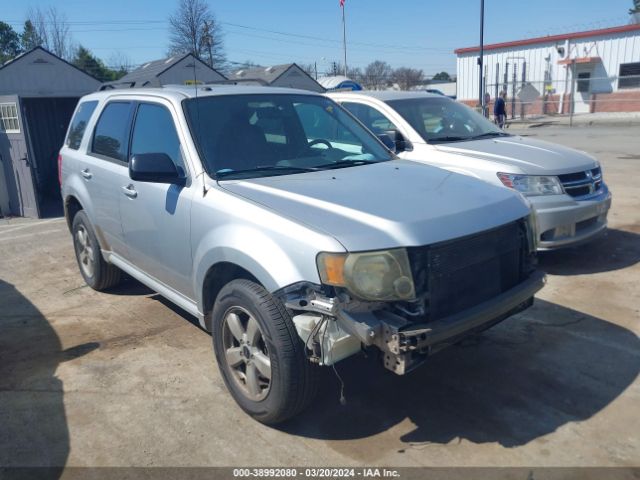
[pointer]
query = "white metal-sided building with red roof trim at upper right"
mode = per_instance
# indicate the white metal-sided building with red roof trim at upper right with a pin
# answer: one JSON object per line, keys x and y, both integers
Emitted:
{"x": 601, "y": 68}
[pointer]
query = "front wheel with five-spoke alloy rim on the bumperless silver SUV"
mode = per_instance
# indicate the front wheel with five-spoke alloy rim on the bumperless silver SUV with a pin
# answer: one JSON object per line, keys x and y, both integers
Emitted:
{"x": 260, "y": 355}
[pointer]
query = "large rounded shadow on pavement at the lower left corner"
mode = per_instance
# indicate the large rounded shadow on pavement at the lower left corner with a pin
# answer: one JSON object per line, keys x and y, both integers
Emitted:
{"x": 33, "y": 424}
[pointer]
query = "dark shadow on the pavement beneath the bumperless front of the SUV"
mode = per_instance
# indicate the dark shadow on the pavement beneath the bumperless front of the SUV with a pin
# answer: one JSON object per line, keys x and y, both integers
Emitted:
{"x": 523, "y": 379}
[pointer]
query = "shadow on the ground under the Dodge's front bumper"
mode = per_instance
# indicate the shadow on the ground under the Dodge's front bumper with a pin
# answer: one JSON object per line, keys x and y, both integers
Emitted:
{"x": 614, "y": 250}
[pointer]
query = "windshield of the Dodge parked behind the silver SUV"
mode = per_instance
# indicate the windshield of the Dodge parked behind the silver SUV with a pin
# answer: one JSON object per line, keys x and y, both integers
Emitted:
{"x": 440, "y": 120}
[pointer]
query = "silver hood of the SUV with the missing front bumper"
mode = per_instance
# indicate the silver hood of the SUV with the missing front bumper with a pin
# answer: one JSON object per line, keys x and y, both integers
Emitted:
{"x": 385, "y": 205}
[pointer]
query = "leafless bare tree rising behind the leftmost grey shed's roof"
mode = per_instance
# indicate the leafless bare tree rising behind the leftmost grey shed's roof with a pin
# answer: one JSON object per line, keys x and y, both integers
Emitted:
{"x": 52, "y": 30}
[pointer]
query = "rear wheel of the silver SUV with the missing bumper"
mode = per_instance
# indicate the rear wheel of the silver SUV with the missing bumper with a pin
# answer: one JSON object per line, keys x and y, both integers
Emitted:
{"x": 97, "y": 273}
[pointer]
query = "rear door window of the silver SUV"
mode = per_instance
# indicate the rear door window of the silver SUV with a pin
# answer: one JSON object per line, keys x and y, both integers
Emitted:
{"x": 111, "y": 135}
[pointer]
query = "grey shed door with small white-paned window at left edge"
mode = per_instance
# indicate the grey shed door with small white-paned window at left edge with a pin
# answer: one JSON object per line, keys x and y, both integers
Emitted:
{"x": 15, "y": 159}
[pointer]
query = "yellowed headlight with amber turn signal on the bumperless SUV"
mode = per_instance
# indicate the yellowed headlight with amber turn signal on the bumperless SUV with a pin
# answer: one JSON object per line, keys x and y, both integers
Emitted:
{"x": 378, "y": 276}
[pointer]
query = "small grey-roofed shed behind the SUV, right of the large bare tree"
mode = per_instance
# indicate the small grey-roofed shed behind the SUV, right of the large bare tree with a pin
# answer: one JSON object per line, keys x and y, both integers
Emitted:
{"x": 288, "y": 75}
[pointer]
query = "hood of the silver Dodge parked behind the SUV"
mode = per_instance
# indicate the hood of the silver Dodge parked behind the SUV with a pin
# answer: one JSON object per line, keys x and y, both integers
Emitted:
{"x": 524, "y": 155}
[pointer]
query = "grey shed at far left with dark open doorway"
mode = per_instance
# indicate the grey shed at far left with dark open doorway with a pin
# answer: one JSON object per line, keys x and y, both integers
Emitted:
{"x": 38, "y": 94}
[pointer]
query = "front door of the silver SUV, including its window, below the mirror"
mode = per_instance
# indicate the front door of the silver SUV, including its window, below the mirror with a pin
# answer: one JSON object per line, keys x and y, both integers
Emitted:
{"x": 156, "y": 216}
